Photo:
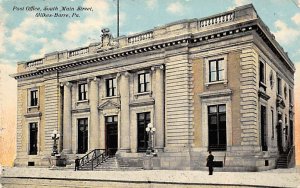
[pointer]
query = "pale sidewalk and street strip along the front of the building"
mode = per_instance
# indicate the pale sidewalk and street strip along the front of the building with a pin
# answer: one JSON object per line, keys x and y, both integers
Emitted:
{"x": 273, "y": 178}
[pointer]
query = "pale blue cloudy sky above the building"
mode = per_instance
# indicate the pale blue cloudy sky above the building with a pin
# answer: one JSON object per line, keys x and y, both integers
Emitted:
{"x": 24, "y": 36}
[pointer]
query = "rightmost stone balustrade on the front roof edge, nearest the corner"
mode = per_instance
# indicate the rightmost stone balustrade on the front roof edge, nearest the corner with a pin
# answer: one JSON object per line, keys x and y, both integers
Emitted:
{"x": 216, "y": 20}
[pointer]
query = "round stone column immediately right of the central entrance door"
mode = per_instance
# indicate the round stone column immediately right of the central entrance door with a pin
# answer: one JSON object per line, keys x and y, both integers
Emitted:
{"x": 125, "y": 121}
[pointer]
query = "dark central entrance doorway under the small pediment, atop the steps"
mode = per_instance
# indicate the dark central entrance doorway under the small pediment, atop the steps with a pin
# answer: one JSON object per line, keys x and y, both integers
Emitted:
{"x": 111, "y": 124}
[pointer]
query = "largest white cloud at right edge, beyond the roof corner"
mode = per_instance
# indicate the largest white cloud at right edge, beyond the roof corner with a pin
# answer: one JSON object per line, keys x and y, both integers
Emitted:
{"x": 285, "y": 34}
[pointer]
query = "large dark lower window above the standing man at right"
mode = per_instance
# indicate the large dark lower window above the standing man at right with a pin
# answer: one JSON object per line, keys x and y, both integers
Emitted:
{"x": 217, "y": 127}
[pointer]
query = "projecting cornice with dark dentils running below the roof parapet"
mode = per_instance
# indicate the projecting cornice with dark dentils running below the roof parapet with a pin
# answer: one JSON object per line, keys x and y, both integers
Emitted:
{"x": 178, "y": 41}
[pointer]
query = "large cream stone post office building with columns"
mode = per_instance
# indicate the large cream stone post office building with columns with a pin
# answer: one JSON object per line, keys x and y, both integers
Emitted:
{"x": 219, "y": 83}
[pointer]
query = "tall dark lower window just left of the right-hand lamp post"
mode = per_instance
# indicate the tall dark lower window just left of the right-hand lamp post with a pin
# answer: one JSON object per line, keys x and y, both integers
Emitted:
{"x": 143, "y": 119}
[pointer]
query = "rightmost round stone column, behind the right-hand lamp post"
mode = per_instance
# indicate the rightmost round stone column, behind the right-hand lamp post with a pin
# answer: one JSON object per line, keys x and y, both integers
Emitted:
{"x": 159, "y": 108}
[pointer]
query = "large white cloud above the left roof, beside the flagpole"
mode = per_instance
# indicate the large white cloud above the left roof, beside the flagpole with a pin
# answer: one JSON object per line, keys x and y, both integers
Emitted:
{"x": 82, "y": 32}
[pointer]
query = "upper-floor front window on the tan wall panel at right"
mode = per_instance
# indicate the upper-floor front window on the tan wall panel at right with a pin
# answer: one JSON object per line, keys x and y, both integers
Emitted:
{"x": 216, "y": 70}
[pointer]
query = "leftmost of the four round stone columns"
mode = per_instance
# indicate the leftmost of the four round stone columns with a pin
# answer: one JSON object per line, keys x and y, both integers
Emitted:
{"x": 67, "y": 119}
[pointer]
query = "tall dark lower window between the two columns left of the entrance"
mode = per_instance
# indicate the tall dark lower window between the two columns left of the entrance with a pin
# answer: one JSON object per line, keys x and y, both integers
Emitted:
{"x": 82, "y": 135}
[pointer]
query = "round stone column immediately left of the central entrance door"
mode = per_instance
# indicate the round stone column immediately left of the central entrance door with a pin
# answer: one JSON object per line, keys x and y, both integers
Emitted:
{"x": 94, "y": 119}
